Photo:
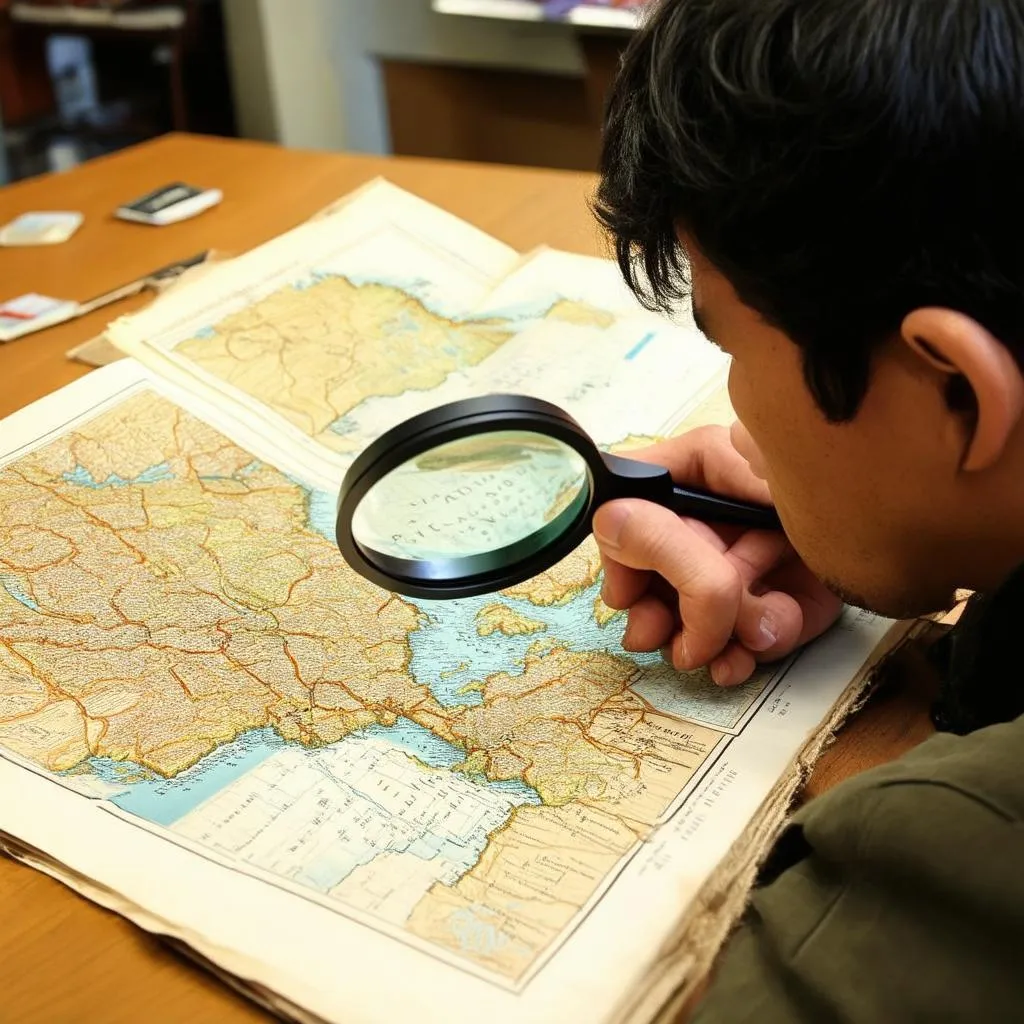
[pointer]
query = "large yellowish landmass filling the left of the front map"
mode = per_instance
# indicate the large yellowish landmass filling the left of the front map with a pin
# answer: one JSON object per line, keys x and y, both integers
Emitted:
{"x": 153, "y": 623}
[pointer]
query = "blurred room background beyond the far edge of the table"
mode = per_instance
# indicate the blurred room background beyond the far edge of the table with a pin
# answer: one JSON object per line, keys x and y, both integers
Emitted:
{"x": 505, "y": 81}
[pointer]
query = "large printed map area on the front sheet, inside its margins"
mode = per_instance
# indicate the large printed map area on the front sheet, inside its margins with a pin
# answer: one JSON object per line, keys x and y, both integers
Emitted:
{"x": 184, "y": 636}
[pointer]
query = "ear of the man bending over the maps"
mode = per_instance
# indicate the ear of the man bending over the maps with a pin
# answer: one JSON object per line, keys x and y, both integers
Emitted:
{"x": 958, "y": 346}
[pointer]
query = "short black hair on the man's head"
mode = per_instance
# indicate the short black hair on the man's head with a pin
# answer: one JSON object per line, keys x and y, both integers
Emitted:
{"x": 841, "y": 162}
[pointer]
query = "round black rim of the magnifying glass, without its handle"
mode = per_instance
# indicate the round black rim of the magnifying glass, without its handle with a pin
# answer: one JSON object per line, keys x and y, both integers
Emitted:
{"x": 451, "y": 422}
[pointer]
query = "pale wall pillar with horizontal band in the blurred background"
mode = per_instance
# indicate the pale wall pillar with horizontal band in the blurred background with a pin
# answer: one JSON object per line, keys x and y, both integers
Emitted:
{"x": 307, "y": 74}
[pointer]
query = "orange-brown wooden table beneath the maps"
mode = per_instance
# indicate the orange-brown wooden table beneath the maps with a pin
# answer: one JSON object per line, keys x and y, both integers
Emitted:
{"x": 63, "y": 959}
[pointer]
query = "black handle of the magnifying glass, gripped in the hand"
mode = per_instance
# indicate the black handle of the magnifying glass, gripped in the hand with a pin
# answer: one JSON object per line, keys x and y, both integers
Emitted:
{"x": 632, "y": 479}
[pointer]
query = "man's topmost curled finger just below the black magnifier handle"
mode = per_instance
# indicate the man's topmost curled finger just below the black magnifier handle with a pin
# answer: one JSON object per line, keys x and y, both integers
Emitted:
{"x": 646, "y": 537}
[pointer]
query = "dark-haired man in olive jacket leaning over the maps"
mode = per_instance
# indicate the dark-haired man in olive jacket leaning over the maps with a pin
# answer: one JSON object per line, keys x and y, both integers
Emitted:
{"x": 838, "y": 186}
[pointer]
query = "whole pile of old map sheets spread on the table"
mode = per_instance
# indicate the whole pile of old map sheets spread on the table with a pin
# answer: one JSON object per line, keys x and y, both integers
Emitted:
{"x": 360, "y": 807}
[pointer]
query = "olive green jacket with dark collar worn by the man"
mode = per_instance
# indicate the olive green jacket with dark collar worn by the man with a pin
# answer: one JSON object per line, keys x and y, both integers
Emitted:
{"x": 900, "y": 895}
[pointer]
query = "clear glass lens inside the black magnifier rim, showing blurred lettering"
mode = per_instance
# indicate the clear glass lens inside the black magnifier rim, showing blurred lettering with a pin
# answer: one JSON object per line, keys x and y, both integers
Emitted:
{"x": 506, "y": 493}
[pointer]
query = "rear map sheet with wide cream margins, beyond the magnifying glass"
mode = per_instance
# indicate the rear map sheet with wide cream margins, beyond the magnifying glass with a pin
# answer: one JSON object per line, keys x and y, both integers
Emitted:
{"x": 382, "y": 320}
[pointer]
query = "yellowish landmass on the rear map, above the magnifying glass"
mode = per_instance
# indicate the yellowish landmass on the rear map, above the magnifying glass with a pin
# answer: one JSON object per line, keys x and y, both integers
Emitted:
{"x": 315, "y": 354}
